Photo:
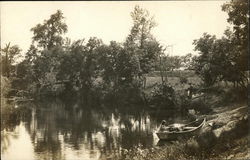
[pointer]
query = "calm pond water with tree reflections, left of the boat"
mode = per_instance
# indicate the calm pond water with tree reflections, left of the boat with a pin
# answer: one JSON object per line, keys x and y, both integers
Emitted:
{"x": 55, "y": 130}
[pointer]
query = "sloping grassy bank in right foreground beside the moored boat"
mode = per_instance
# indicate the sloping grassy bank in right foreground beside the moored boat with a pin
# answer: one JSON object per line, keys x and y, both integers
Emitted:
{"x": 225, "y": 136}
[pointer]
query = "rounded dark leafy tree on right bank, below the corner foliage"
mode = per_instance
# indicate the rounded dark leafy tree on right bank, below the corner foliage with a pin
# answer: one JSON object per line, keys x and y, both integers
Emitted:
{"x": 217, "y": 60}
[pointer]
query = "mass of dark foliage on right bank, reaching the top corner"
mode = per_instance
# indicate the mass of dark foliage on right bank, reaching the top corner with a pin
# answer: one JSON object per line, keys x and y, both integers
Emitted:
{"x": 225, "y": 58}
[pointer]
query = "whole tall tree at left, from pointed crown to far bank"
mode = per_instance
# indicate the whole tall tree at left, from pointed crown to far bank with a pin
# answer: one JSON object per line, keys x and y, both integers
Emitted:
{"x": 42, "y": 61}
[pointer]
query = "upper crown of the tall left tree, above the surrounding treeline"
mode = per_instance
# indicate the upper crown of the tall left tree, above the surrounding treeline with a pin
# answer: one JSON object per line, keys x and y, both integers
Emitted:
{"x": 49, "y": 34}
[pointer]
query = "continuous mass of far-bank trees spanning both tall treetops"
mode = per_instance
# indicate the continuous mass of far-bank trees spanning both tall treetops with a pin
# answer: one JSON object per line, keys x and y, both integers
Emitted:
{"x": 53, "y": 60}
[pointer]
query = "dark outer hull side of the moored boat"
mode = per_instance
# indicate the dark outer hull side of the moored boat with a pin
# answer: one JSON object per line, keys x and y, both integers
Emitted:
{"x": 180, "y": 134}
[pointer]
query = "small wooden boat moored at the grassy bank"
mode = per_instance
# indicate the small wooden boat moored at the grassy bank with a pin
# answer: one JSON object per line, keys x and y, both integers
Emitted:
{"x": 176, "y": 131}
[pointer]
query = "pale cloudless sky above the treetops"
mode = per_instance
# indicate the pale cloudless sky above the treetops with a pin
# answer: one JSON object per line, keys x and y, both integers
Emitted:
{"x": 178, "y": 22}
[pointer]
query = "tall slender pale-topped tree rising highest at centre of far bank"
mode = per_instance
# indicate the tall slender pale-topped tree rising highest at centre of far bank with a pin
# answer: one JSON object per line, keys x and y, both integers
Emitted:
{"x": 140, "y": 43}
